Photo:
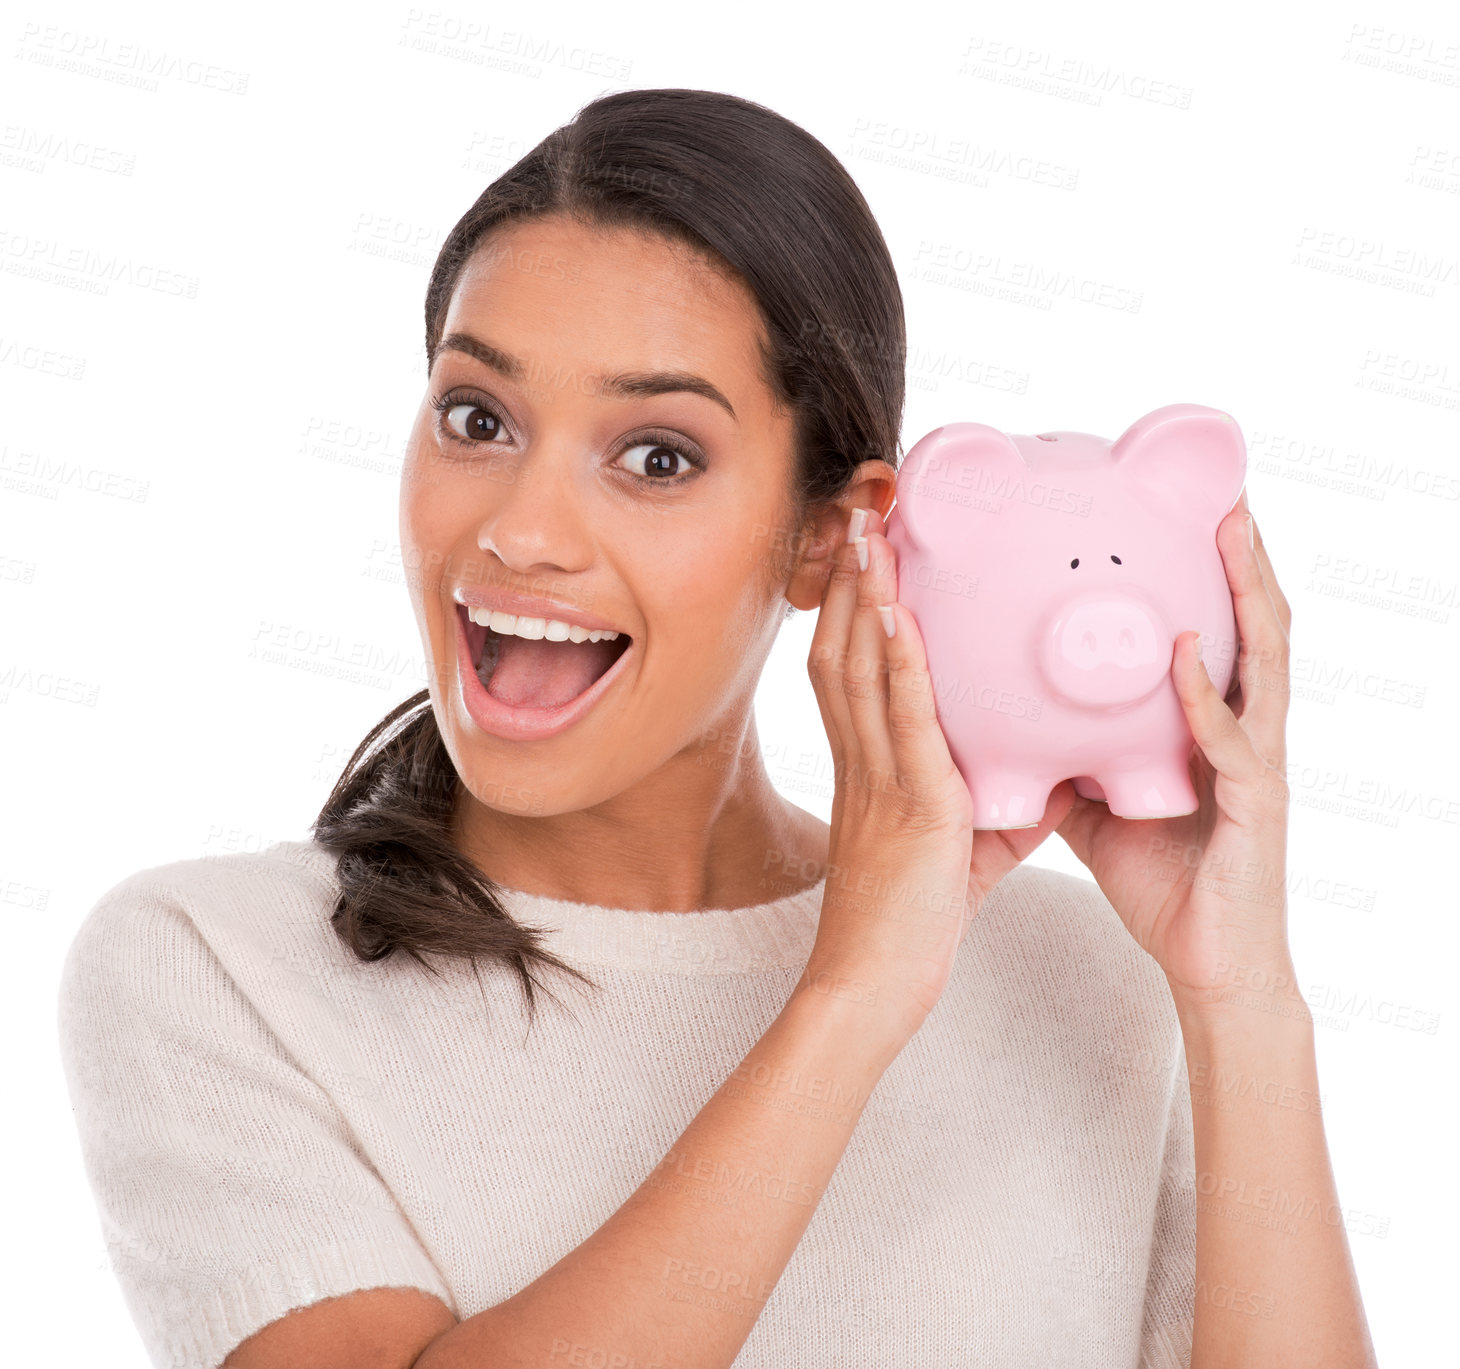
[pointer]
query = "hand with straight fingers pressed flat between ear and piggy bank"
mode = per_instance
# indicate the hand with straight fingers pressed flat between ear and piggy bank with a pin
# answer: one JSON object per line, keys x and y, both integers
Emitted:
{"x": 907, "y": 871}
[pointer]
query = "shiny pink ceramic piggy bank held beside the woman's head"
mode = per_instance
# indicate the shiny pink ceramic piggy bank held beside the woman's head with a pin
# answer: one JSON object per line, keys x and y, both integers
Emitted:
{"x": 1050, "y": 577}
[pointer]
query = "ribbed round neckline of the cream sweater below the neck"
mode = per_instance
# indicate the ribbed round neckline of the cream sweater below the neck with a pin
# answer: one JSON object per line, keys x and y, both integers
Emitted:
{"x": 777, "y": 935}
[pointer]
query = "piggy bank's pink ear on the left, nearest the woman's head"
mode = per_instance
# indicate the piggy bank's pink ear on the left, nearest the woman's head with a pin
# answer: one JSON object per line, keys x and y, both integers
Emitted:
{"x": 951, "y": 477}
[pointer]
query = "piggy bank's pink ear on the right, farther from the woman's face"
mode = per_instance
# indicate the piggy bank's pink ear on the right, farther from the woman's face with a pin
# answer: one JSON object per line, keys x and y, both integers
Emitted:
{"x": 1188, "y": 456}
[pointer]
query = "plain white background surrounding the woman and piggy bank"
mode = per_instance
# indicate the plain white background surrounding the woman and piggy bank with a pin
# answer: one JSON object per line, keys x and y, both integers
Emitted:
{"x": 211, "y": 352}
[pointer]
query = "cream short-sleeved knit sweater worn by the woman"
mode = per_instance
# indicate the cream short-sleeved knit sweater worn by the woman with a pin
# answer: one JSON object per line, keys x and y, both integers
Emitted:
{"x": 268, "y": 1122}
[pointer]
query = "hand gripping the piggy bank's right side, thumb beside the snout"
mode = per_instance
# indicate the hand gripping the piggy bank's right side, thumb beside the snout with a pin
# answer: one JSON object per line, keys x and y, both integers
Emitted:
{"x": 1207, "y": 894}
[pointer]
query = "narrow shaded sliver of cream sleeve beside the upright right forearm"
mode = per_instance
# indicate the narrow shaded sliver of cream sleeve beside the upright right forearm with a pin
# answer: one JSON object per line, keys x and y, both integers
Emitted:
{"x": 1170, "y": 1310}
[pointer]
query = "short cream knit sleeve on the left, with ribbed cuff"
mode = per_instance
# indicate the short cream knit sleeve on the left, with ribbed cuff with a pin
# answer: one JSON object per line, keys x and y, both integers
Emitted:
{"x": 228, "y": 1184}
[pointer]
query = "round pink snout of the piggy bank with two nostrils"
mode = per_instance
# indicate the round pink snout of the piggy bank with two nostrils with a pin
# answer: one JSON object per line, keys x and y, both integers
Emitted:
{"x": 1103, "y": 650}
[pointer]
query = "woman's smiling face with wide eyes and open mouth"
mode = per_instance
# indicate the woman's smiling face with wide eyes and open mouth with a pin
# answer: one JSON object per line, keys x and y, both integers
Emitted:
{"x": 642, "y": 503}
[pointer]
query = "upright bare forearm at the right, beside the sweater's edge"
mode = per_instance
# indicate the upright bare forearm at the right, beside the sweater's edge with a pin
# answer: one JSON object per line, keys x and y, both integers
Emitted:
{"x": 1274, "y": 1273}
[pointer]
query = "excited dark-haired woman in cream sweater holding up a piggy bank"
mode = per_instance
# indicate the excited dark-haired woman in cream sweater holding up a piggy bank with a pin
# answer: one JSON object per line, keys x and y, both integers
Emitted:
{"x": 788, "y": 1122}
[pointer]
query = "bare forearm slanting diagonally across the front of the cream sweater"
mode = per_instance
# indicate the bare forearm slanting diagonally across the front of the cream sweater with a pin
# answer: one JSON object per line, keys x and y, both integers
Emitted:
{"x": 681, "y": 1272}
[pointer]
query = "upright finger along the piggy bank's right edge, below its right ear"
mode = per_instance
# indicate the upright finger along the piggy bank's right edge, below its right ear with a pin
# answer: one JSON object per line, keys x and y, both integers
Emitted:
{"x": 1262, "y": 659}
